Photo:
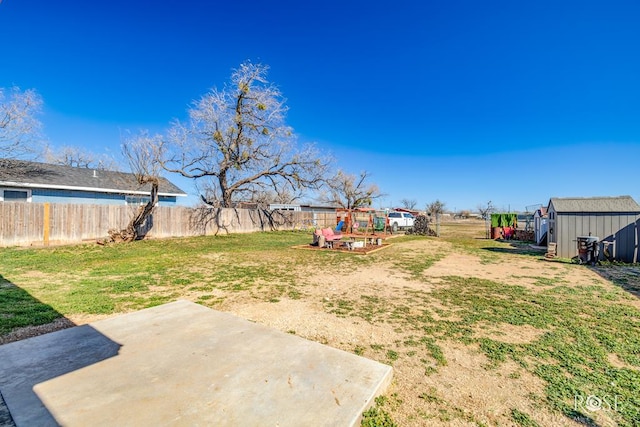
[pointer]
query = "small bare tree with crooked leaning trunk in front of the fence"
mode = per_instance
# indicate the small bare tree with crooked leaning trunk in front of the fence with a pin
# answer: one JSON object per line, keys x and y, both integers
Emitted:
{"x": 139, "y": 152}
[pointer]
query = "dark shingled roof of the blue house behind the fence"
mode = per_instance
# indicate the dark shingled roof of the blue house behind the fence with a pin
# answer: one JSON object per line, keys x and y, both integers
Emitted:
{"x": 43, "y": 175}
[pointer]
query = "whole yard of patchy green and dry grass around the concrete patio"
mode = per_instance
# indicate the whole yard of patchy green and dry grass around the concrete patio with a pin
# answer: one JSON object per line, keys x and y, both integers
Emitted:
{"x": 478, "y": 332}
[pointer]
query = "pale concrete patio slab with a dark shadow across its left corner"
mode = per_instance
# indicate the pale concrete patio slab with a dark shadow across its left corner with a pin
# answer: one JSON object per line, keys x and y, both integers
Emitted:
{"x": 184, "y": 364}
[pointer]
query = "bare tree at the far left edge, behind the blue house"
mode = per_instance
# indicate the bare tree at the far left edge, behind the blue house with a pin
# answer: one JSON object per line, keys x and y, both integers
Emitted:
{"x": 19, "y": 127}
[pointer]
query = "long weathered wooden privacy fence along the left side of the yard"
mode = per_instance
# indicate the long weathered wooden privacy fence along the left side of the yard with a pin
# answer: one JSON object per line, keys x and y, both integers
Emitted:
{"x": 26, "y": 224}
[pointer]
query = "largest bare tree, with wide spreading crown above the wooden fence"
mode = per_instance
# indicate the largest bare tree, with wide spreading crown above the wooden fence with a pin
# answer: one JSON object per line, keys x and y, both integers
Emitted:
{"x": 237, "y": 142}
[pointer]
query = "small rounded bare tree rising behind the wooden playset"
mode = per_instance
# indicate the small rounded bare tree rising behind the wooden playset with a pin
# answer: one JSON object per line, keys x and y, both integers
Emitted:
{"x": 350, "y": 191}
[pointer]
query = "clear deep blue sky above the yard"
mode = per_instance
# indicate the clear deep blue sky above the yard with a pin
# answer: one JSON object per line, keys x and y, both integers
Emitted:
{"x": 462, "y": 101}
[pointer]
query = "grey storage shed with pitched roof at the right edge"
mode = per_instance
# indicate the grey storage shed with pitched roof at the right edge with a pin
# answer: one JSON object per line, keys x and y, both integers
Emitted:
{"x": 612, "y": 219}
